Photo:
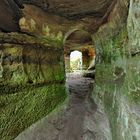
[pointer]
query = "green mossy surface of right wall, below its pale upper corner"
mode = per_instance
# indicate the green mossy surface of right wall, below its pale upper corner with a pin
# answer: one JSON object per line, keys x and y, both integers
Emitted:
{"x": 117, "y": 86}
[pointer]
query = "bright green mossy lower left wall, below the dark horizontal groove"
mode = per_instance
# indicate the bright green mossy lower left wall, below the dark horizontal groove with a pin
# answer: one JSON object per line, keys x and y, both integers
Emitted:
{"x": 21, "y": 109}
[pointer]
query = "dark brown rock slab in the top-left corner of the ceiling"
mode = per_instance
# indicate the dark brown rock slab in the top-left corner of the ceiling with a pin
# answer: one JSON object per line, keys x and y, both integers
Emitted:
{"x": 10, "y": 14}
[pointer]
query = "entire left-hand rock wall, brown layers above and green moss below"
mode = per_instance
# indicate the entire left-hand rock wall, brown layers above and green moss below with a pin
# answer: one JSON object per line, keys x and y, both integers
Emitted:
{"x": 32, "y": 81}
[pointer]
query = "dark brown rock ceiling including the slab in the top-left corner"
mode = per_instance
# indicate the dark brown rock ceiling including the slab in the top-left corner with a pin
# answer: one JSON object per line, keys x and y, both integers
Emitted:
{"x": 88, "y": 12}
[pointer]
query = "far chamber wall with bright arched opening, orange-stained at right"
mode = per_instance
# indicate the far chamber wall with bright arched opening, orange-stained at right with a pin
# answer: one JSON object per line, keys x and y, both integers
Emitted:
{"x": 84, "y": 59}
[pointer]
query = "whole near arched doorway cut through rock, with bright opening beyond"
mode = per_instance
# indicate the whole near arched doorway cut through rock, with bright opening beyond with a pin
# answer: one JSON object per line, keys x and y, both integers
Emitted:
{"x": 78, "y": 40}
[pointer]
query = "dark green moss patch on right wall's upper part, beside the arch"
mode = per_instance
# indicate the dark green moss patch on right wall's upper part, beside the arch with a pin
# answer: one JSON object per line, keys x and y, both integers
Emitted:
{"x": 112, "y": 47}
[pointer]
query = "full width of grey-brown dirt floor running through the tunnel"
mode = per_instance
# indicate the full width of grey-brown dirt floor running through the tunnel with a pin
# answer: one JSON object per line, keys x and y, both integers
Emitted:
{"x": 77, "y": 122}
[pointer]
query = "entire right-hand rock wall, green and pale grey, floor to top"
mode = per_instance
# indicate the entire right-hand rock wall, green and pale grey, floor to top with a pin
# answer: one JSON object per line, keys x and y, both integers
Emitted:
{"x": 117, "y": 72}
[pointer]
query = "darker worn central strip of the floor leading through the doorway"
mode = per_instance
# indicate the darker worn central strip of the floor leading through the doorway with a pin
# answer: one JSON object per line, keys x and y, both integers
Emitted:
{"x": 80, "y": 89}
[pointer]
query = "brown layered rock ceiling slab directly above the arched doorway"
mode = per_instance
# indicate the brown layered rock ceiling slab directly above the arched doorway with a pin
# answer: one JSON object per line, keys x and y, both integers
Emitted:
{"x": 88, "y": 12}
